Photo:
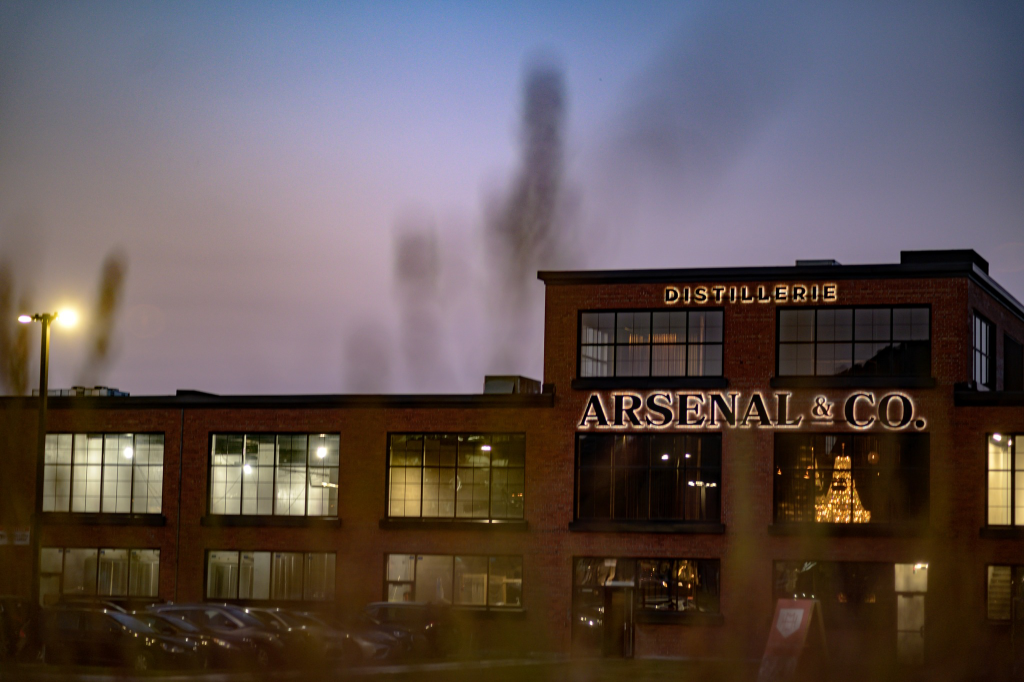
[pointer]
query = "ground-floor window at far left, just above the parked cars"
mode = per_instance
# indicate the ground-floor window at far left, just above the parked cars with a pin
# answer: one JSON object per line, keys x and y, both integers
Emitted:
{"x": 98, "y": 572}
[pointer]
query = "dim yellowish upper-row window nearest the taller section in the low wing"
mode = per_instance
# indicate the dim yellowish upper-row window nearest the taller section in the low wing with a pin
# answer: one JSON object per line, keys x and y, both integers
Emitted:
{"x": 457, "y": 476}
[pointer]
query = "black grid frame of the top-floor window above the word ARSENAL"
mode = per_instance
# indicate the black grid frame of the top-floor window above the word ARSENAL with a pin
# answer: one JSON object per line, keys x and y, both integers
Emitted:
{"x": 651, "y": 345}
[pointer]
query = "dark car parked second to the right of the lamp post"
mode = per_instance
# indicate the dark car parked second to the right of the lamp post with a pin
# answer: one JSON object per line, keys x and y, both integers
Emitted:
{"x": 263, "y": 647}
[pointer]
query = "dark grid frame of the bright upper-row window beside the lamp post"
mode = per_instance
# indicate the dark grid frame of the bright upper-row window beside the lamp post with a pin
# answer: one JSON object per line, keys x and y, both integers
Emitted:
{"x": 72, "y": 465}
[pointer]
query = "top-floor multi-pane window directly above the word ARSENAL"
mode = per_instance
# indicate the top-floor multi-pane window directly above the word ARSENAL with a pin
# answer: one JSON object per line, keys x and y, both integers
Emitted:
{"x": 661, "y": 344}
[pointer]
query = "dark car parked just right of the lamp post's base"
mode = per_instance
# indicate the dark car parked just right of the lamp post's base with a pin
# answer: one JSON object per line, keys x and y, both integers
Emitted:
{"x": 103, "y": 637}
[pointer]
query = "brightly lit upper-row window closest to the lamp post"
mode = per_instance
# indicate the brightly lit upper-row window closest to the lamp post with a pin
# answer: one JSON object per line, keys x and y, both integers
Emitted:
{"x": 118, "y": 474}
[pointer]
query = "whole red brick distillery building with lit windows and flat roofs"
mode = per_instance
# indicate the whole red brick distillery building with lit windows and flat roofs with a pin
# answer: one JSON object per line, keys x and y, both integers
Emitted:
{"x": 704, "y": 443}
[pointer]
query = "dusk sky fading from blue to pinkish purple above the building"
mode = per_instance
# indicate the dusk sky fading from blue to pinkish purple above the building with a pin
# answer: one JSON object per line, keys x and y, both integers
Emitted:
{"x": 253, "y": 163}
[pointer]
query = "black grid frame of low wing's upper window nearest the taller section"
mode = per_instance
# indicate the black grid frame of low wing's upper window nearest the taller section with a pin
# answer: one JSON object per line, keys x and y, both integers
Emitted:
{"x": 455, "y": 518}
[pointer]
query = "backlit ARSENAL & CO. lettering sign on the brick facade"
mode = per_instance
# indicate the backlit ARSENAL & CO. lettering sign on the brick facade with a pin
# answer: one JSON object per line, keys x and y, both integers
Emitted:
{"x": 712, "y": 410}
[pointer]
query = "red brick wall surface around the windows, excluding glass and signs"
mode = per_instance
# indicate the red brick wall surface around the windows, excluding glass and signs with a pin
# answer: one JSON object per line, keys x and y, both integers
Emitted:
{"x": 953, "y": 546}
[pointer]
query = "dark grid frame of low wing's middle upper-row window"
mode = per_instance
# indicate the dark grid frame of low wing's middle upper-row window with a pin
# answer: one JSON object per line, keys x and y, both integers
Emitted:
{"x": 274, "y": 511}
